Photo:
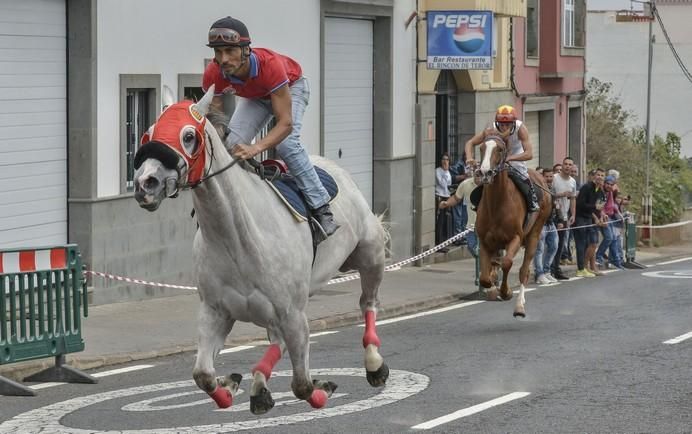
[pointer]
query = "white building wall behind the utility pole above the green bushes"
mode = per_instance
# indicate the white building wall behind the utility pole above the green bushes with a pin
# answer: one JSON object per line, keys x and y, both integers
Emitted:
{"x": 618, "y": 53}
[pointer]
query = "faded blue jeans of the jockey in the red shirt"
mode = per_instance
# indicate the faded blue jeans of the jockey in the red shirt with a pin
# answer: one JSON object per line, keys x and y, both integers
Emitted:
{"x": 251, "y": 115}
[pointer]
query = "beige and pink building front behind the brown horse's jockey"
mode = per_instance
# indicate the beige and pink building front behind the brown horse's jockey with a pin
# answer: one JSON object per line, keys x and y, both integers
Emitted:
{"x": 538, "y": 67}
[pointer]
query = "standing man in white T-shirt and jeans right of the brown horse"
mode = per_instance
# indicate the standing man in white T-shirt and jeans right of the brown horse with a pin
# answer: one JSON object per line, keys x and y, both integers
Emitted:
{"x": 565, "y": 188}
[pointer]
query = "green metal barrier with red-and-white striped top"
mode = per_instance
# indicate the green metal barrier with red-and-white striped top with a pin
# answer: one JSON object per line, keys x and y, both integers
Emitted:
{"x": 42, "y": 298}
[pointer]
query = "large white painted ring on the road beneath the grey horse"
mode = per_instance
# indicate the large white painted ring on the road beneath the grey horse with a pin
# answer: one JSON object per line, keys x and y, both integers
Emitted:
{"x": 401, "y": 385}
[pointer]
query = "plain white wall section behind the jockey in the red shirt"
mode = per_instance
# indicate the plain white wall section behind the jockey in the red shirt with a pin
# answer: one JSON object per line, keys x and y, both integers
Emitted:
{"x": 168, "y": 37}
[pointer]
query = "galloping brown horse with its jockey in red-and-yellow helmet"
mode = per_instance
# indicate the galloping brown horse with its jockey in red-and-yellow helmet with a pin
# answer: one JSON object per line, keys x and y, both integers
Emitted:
{"x": 510, "y": 215}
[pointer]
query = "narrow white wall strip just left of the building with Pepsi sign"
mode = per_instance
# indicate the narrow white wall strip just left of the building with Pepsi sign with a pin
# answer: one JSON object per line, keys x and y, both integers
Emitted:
{"x": 404, "y": 86}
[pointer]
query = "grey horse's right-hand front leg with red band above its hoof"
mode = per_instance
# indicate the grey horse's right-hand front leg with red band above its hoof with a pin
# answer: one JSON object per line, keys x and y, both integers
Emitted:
{"x": 296, "y": 333}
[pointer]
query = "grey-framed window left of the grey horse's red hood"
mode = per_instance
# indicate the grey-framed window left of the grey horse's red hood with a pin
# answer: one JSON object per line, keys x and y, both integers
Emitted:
{"x": 139, "y": 105}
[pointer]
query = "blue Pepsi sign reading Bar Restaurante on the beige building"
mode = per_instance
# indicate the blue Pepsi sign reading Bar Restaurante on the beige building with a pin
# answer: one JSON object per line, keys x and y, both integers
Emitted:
{"x": 460, "y": 39}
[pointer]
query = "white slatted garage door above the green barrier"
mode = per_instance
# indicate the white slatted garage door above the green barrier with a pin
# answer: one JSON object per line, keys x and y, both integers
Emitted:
{"x": 33, "y": 123}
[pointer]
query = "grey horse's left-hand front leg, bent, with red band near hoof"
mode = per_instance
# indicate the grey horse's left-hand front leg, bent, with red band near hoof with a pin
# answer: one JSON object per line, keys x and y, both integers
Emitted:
{"x": 214, "y": 326}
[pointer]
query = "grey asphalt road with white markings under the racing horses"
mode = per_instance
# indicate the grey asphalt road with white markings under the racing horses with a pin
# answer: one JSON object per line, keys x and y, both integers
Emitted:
{"x": 592, "y": 355}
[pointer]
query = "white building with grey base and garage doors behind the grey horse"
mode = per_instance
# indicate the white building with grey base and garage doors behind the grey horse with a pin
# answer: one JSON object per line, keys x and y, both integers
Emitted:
{"x": 103, "y": 84}
